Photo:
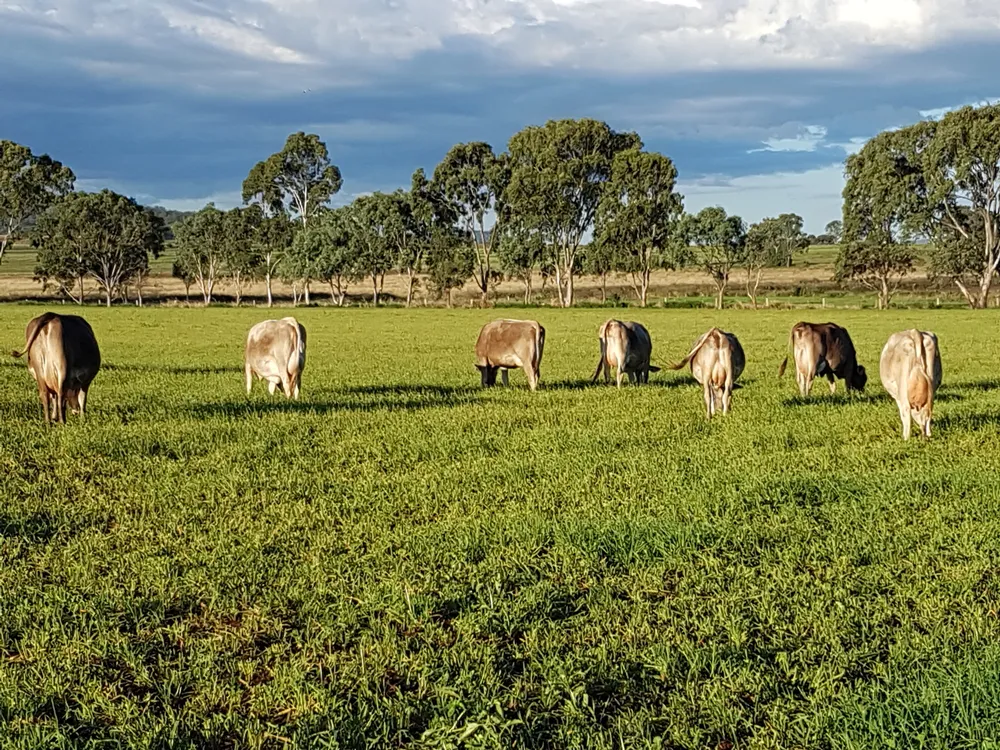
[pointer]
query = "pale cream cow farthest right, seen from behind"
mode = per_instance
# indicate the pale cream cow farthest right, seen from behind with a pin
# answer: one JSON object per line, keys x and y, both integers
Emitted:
{"x": 911, "y": 372}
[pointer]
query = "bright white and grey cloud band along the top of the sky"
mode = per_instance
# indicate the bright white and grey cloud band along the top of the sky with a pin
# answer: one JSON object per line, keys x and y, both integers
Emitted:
{"x": 325, "y": 39}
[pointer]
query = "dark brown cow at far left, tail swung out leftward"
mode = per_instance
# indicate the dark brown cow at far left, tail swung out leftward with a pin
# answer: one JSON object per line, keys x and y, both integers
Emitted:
{"x": 63, "y": 358}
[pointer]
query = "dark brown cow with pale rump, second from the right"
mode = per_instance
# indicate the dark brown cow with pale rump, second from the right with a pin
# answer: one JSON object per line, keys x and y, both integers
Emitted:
{"x": 824, "y": 349}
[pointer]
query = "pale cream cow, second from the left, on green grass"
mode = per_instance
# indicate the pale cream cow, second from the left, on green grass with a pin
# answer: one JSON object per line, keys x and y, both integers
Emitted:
{"x": 276, "y": 352}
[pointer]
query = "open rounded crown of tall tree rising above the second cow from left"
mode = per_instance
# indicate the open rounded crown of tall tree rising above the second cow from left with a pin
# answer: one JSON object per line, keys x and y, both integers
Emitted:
{"x": 298, "y": 180}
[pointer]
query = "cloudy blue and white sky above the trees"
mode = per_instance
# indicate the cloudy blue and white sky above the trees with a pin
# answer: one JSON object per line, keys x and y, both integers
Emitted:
{"x": 758, "y": 102}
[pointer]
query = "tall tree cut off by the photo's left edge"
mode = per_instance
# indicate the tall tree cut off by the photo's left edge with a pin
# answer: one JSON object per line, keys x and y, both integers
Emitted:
{"x": 29, "y": 184}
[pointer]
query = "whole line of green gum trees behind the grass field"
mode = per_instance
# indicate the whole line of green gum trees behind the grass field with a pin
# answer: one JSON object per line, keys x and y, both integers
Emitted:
{"x": 568, "y": 198}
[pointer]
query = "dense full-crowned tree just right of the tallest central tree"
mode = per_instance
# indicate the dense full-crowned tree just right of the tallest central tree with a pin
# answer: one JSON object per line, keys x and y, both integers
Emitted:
{"x": 638, "y": 216}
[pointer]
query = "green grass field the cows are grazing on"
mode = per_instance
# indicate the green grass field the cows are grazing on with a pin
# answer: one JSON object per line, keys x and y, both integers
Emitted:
{"x": 404, "y": 559}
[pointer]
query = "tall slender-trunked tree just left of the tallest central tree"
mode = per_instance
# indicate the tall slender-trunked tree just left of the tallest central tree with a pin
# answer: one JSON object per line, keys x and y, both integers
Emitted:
{"x": 473, "y": 179}
